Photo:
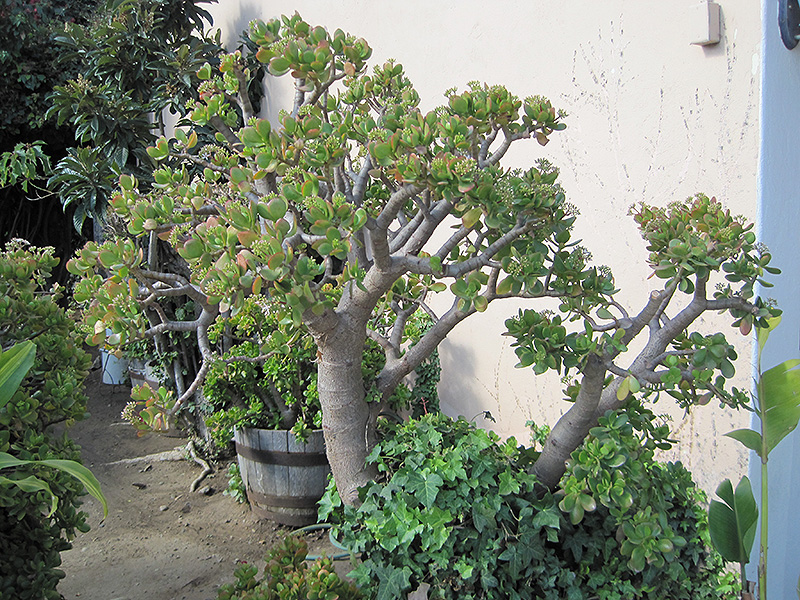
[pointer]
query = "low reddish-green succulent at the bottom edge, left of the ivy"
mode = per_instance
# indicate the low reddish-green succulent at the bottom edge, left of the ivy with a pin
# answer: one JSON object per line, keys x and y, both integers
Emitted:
{"x": 288, "y": 577}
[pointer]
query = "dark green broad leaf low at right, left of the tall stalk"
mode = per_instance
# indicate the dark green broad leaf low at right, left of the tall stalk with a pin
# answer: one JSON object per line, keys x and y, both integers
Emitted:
{"x": 732, "y": 523}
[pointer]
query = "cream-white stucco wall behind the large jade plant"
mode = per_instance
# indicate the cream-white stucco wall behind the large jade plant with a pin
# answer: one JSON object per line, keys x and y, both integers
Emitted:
{"x": 652, "y": 118}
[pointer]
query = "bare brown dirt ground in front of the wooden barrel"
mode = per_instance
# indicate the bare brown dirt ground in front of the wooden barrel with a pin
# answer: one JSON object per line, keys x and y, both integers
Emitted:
{"x": 160, "y": 541}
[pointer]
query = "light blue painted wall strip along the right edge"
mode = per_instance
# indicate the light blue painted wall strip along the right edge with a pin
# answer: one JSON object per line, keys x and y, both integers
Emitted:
{"x": 779, "y": 224}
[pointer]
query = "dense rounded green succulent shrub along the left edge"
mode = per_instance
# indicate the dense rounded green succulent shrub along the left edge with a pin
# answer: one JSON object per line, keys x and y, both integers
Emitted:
{"x": 52, "y": 393}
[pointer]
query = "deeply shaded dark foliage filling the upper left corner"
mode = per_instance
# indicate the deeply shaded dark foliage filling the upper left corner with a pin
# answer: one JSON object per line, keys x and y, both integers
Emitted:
{"x": 29, "y": 70}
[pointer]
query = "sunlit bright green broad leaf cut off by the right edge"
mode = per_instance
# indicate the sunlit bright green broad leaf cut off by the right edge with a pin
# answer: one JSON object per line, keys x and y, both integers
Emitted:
{"x": 780, "y": 404}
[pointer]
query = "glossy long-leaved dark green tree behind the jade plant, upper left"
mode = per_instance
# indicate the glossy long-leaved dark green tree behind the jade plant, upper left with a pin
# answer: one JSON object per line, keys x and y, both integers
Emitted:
{"x": 136, "y": 60}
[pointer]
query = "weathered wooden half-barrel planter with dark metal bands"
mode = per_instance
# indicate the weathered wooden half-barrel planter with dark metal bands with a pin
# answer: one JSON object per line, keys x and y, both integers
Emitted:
{"x": 284, "y": 477}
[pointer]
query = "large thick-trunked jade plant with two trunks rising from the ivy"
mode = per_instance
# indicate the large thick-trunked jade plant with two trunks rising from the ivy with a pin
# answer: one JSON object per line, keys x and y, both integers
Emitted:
{"x": 348, "y": 212}
